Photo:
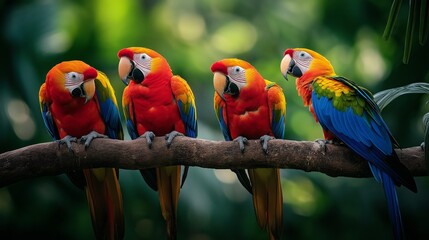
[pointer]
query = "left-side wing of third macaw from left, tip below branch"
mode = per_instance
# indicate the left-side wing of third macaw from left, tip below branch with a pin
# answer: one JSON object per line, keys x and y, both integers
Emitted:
{"x": 220, "y": 110}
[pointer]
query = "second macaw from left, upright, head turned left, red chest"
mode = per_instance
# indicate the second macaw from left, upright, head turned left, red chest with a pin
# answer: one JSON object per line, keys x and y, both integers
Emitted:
{"x": 156, "y": 103}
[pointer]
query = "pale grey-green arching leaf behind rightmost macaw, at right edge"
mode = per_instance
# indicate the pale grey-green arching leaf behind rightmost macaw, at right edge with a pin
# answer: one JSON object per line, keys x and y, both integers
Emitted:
{"x": 383, "y": 98}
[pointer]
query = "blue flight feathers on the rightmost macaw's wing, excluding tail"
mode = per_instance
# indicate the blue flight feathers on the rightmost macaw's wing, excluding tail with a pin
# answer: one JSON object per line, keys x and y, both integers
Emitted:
{"x": 367, "y": 136}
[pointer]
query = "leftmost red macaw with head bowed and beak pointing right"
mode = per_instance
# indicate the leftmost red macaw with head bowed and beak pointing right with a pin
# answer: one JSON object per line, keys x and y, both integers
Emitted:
{"x": 77, "y": 101}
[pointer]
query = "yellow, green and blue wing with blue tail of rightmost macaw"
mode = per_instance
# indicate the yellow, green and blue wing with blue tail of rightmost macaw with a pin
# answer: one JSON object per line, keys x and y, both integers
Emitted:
{"x": 355, "y": 119}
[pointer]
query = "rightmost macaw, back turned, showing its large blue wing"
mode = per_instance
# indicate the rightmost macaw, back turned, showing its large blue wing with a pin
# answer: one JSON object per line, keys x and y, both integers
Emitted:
{"x": 348, "y": 114}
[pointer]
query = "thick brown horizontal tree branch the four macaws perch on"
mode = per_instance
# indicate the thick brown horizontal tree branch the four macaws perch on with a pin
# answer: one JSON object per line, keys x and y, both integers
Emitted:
{"x": 47, "y": 159}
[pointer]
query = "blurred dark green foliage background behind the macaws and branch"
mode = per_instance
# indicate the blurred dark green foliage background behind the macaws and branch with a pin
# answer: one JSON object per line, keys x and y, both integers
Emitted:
{"x": 36, "y": 35}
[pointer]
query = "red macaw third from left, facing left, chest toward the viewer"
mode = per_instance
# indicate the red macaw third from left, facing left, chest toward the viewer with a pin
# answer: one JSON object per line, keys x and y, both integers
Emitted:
{"x": 249, "y": 107}
